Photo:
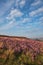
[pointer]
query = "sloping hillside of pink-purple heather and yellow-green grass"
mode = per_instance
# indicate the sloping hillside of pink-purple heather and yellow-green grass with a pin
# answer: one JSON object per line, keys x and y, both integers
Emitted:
{"x": 20, "y": 51}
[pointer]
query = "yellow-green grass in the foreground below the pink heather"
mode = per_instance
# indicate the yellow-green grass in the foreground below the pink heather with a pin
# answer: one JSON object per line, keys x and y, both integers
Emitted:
{"x": 20, "y": 59}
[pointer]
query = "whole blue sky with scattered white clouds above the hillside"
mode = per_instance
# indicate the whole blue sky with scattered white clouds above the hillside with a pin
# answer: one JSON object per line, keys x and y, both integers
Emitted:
{"x": 21, "y": 18}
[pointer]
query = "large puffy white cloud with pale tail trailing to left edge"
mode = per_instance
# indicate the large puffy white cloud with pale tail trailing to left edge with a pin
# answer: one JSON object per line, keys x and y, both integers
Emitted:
{"x": 11, "y": 20}
